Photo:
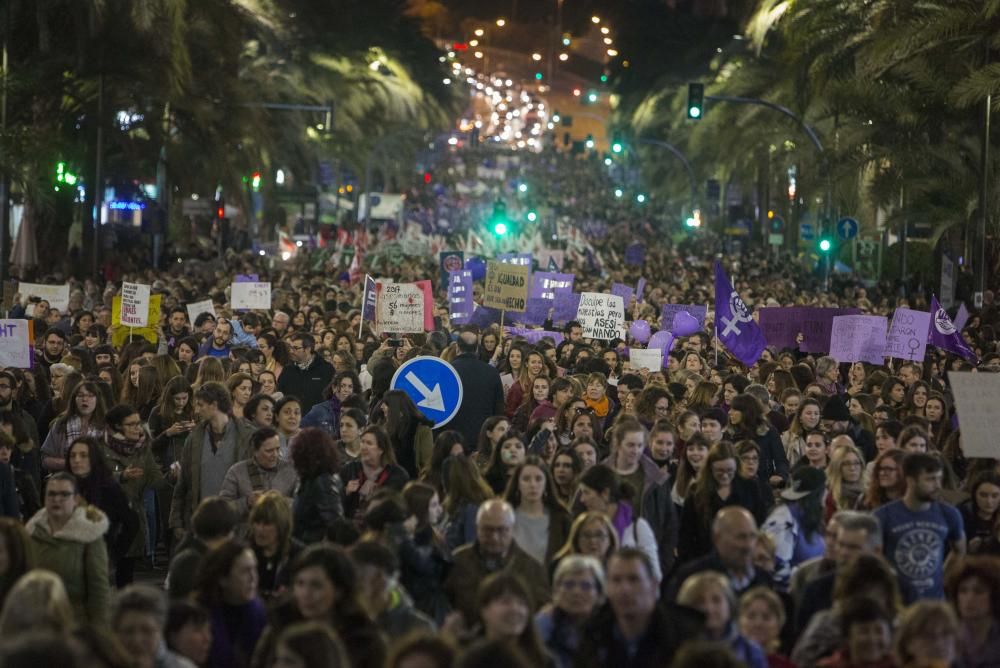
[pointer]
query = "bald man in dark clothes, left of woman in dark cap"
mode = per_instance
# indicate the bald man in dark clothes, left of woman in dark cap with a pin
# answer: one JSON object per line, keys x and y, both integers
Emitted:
{"x": 734, "y": 536}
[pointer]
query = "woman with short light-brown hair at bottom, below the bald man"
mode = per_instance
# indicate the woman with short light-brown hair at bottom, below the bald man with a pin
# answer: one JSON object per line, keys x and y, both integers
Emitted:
{"x": 711, "y": 594}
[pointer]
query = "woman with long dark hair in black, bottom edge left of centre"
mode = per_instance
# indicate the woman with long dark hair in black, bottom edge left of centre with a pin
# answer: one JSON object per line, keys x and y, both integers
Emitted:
{"x": 325, "y": 589}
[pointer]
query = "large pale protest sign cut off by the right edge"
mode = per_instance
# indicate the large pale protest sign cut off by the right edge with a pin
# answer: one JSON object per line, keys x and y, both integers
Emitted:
{"x": 976, "y": 396}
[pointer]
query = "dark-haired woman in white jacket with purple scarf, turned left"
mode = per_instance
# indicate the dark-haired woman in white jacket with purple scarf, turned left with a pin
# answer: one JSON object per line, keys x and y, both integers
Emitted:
{"x": 602, "y": 492}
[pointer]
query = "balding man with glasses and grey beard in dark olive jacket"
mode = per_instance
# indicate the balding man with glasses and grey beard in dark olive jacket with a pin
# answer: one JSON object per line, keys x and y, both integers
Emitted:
{"x": 493, "y": 551}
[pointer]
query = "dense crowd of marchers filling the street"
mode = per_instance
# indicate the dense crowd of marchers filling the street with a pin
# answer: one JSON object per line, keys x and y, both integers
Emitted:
{"x": 282, "y": 505}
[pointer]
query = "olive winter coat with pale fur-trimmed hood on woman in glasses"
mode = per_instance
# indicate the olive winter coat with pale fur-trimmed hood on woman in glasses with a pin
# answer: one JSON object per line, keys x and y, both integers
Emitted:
{"x": 77, "y": 554}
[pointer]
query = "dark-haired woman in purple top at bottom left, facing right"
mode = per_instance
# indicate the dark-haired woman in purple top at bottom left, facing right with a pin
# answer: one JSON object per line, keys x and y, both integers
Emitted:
{"x": 227, "y": 588}
